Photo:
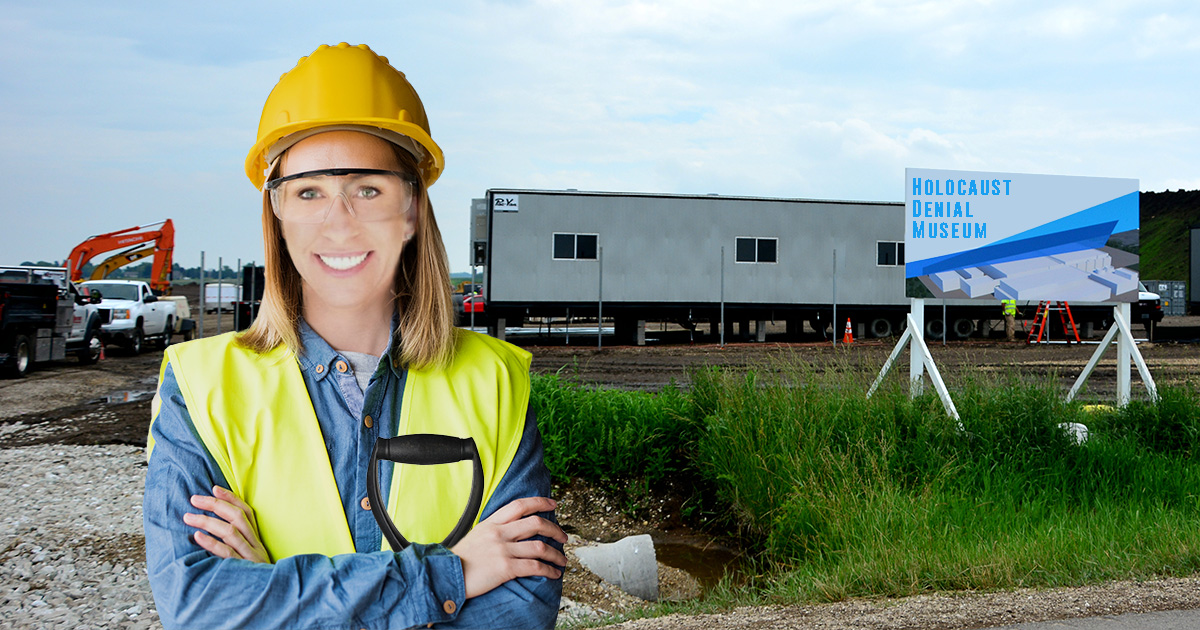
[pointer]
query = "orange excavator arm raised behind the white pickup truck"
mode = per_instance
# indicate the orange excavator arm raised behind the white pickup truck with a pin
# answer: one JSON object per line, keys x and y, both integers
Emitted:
{"x": 161, "y": 236}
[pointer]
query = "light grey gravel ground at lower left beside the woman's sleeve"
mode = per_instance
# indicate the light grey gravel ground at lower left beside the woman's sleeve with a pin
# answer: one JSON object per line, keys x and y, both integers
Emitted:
{"x": 71, "y": 538}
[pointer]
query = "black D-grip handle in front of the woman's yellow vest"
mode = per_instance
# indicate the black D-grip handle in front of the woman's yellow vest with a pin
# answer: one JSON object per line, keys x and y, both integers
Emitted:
{"x": 424, "y": 449}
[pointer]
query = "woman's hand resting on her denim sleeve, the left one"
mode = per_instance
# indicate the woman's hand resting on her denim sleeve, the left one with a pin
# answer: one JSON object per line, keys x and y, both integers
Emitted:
{"x": 235, "y": 535}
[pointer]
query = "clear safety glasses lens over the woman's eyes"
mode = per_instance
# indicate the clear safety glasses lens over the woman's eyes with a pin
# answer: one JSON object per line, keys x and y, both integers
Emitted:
{"x": 370, "y": 195}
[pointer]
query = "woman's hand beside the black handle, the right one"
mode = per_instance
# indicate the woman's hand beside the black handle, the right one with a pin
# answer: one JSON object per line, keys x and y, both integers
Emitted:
{"x": 497, "y": 549}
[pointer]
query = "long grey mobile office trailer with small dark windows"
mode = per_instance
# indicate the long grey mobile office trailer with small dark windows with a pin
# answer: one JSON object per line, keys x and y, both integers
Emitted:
{"x": 659, "y": 257}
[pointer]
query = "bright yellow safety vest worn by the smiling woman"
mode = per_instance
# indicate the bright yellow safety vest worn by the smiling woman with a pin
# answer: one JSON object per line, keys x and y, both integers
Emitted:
{"x": 256, "y": 419}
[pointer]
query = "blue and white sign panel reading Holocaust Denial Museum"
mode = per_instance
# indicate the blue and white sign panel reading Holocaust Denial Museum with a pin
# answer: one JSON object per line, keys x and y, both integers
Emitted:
{"x": 1012, "y": 236}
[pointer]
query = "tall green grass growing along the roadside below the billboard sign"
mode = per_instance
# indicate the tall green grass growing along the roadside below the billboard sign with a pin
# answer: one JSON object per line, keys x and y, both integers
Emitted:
{"x": 841, "y": 496}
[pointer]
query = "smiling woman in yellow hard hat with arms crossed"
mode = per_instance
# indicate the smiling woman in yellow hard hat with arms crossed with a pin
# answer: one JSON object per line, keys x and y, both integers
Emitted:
{"x": 256, "y": 506}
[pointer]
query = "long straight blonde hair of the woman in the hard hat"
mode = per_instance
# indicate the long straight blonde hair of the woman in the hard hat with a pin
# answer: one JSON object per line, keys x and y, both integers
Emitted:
{"x": 425, "y": 335}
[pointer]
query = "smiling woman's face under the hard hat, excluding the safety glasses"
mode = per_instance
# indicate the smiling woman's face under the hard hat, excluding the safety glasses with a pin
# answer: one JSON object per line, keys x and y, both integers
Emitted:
{"x": 346, "y": 263}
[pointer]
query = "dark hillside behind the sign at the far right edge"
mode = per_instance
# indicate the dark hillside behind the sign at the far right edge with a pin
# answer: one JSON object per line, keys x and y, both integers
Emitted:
{"x": 1166, "y": 219}
